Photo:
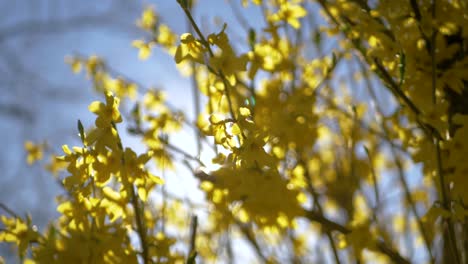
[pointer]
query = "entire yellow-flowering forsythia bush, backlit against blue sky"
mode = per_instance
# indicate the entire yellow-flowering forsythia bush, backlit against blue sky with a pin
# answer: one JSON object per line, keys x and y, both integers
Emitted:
{"x": 316, "y": 126}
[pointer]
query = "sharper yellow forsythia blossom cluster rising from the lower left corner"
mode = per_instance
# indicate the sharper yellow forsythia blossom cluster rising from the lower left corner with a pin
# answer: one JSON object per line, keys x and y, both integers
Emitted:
{"x": 107, "y": 187}
